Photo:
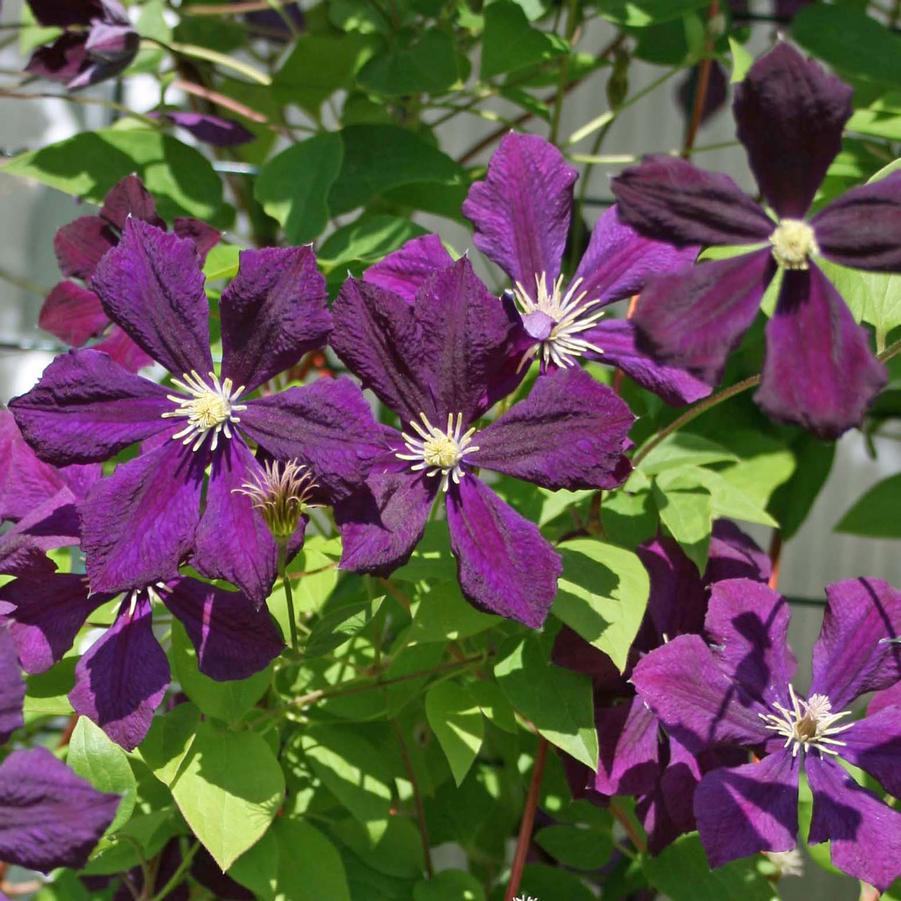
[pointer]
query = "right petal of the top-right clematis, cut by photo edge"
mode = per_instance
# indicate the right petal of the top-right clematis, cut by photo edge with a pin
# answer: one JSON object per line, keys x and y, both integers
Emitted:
{"x": 861, "y": 228}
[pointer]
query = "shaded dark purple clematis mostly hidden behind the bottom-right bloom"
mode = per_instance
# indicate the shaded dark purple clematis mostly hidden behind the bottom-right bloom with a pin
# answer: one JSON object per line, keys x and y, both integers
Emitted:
{"x": 634, "y": 758}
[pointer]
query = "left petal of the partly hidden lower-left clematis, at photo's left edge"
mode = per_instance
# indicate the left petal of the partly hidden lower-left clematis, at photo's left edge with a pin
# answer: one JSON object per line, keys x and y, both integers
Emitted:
{"x": 45, "y": 614}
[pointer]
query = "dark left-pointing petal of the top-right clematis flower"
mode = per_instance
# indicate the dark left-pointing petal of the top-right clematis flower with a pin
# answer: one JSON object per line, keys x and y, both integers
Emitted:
{"x": 670, "y": 199}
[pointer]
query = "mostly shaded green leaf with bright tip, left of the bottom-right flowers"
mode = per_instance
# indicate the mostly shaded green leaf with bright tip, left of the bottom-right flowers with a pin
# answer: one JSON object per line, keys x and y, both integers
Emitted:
{"x": 558, "y": 701}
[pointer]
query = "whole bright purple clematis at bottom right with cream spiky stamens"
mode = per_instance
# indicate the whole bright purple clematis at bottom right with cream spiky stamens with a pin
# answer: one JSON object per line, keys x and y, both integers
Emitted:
{"x": 737, "y": 692}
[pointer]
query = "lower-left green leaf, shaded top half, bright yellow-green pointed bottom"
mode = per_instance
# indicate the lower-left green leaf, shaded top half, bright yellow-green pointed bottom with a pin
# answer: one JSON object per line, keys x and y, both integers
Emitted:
{"x": 229, "y": 790}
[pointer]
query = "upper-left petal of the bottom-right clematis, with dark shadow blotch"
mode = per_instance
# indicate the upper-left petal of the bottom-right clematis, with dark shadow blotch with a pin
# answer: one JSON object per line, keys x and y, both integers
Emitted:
{"x": 748, "y": 623}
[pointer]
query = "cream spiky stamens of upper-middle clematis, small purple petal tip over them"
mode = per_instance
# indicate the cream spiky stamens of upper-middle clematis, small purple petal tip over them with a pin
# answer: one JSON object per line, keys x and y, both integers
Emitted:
{"x": 570, "y": 314}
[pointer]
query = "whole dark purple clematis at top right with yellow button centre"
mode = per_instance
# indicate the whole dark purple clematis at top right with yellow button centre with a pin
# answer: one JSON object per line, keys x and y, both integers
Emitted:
{"x": 819, "y": 371}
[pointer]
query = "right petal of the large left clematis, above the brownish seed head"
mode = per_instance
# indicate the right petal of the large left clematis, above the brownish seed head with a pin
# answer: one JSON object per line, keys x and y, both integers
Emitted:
{"x": 326, "y": 425}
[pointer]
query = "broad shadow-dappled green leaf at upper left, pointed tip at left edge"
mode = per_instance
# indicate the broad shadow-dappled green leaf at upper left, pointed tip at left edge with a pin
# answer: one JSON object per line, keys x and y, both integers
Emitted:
{"x": 88, "y": 165}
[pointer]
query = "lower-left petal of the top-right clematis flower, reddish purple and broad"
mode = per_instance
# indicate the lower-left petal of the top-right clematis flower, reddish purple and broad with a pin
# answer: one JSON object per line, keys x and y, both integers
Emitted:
{"x": 696, "y": 319}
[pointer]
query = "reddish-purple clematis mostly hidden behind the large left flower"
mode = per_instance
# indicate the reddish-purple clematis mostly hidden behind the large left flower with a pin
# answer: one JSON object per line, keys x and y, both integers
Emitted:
{"x": 72, "y": 311}
